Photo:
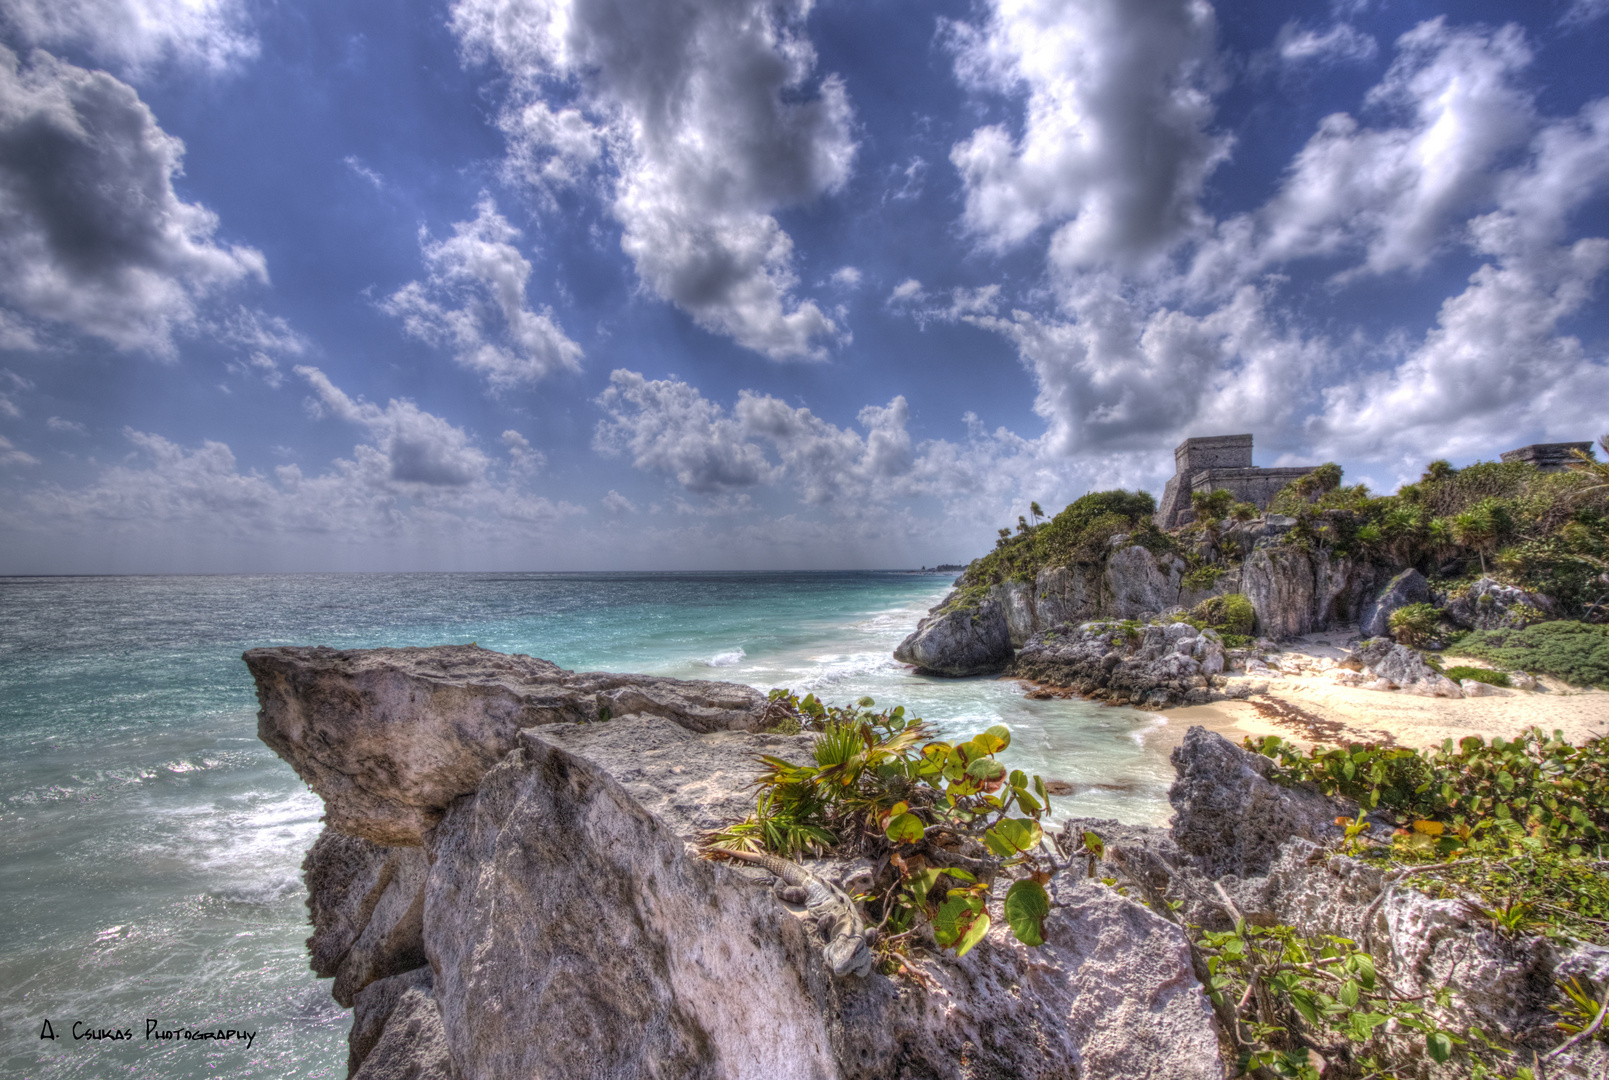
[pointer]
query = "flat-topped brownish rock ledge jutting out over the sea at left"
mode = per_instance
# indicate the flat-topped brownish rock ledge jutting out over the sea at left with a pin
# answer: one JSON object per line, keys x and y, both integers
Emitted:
{"x": 390, "y": 736}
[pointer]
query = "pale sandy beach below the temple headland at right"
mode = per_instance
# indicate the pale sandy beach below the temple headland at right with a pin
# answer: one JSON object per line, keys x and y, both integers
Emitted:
{"x": 1311, "y": 707}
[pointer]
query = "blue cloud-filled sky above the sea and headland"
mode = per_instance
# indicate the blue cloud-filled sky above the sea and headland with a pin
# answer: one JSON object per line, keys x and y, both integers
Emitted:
{"x": 765, "y": 284}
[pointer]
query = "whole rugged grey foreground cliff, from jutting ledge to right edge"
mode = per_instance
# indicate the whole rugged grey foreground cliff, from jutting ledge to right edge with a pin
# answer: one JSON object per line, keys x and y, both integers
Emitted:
{"x": 549, "y": 917}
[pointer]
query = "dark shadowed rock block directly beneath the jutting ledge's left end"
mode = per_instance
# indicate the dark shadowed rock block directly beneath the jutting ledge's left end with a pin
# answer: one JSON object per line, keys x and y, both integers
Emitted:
{"x": 366, "y": 904}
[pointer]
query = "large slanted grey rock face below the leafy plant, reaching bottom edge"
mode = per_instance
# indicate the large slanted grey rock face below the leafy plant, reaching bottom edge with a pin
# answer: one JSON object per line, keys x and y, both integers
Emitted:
{"x": 561, "y": 905}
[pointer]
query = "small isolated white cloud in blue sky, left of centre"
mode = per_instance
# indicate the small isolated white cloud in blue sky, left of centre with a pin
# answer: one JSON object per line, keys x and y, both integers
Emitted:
{"x": 474, "y": 303}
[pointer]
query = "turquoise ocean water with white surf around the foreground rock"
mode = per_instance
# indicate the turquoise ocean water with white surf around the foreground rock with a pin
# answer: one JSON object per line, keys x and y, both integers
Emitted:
{"x": 150, "y": 847}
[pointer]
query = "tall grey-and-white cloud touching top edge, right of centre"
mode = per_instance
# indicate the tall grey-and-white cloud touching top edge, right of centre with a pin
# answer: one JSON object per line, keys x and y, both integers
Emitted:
{"x": 1114, "y": 144}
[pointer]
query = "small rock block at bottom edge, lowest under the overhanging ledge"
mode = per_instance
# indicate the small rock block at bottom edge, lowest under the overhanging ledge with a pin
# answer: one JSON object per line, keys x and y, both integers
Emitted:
{"x": 398, "y": 1034}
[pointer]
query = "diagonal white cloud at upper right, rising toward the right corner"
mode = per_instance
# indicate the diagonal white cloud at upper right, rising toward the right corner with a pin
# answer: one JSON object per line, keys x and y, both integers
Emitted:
{"x": 1391, "y": 194}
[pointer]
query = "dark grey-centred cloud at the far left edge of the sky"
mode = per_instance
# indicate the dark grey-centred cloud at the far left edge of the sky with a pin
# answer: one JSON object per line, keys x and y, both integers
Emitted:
{"x": 93, "y": 234}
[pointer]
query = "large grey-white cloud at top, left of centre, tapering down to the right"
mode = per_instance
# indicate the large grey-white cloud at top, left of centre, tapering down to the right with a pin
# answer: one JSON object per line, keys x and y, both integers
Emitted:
{"x": 709, "y": 115}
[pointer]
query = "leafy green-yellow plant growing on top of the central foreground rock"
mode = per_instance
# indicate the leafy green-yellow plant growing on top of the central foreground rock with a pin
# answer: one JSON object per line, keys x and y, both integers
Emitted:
{"x": 883, "y": 786}
